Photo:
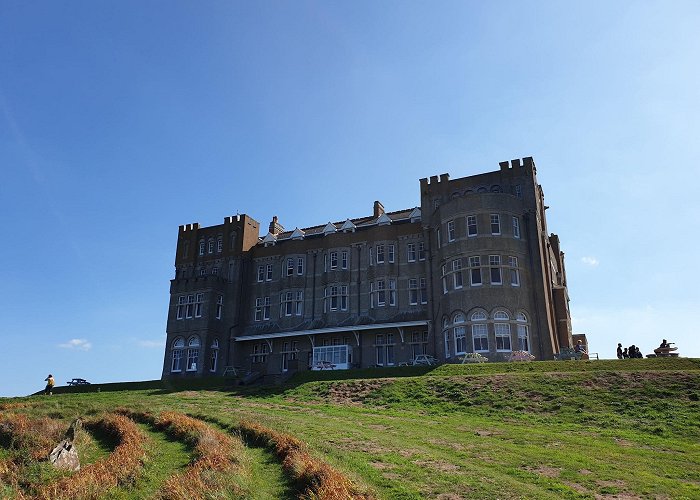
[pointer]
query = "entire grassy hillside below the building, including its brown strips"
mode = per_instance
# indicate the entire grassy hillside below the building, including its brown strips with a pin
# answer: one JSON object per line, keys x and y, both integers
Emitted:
{"x": 598, "y": 429}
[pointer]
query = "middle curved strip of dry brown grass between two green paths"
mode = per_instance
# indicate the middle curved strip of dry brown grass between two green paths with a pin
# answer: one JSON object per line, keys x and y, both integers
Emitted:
{"x": 217, "y": 464}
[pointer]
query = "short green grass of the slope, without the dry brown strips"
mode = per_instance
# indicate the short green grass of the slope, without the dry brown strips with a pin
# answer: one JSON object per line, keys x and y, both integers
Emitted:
{"x": 498, "y": 430}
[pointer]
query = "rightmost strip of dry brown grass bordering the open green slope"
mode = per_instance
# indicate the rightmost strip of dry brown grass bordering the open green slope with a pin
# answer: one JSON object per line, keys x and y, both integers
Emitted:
{"x": 316, "y": 479}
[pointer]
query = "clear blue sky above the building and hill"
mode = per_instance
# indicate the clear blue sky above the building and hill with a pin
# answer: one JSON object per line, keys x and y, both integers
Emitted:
{"x": 120, "y": 121}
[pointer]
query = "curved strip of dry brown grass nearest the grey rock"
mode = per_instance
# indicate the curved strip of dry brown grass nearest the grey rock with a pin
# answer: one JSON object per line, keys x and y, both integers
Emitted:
{"x": 120, "y": 468}
